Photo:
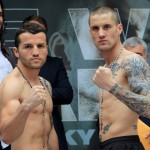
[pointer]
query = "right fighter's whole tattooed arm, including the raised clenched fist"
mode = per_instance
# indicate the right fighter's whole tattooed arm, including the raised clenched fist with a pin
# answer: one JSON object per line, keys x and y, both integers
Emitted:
{"x": 137, "y": 71}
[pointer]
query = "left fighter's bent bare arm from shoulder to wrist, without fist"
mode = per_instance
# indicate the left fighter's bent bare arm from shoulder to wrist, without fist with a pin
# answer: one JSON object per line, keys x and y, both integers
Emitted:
{"x": 13, "y": 115}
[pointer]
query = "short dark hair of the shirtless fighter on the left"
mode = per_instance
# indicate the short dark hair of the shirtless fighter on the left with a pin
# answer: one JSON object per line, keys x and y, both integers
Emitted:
{"x": 32, "y": 28}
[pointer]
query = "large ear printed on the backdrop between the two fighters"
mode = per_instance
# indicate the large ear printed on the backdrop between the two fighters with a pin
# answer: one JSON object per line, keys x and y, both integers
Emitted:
{"x": 57, "y": 44}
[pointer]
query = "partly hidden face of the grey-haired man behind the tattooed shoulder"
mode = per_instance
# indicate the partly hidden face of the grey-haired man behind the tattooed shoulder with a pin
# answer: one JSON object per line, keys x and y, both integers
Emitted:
{"x": 139, "y": 49}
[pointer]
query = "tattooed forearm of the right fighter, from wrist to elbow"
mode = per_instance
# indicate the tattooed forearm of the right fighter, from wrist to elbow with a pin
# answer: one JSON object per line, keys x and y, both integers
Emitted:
{"x": 137, "y": 103}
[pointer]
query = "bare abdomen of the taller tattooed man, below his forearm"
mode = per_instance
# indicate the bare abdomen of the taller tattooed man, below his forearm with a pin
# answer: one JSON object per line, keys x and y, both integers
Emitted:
{"x": 118, "y": 119}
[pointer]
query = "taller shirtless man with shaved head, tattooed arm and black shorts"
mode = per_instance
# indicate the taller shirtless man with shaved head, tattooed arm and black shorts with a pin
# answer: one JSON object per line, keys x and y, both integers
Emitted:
{"x": 123, "y": 82}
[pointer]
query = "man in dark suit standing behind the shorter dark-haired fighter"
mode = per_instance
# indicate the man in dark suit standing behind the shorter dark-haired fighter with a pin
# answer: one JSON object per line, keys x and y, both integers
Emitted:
{"x": 54, "y": 71}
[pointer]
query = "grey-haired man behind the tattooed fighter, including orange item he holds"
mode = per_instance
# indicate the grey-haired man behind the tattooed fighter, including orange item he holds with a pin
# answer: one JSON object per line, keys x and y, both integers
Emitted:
{"x": 138, "y": 46}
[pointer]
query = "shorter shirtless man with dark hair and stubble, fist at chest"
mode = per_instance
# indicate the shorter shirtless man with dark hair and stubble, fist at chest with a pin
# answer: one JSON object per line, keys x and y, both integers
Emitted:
{"x": 25, "y": 99}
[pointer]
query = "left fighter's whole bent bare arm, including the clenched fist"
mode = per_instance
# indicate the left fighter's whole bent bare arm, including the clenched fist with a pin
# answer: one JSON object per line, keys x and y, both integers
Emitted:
{"x": 14, "y": 111}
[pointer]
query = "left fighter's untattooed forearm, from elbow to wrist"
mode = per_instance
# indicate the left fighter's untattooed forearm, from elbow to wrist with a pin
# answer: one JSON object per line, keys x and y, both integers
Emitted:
{"x": 13, "y": 126}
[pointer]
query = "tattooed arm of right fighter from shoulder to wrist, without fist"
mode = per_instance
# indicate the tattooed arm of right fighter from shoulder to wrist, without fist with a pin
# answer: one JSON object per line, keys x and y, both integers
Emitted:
{"x": 138, "y": 75}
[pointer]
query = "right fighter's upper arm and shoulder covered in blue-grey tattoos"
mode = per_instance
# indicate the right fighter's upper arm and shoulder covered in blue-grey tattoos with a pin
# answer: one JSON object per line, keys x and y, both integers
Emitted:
{"x": 138, "y": 74}
